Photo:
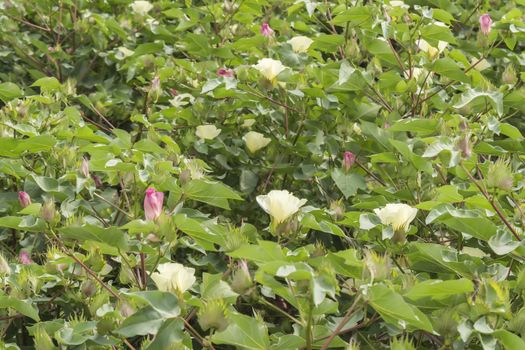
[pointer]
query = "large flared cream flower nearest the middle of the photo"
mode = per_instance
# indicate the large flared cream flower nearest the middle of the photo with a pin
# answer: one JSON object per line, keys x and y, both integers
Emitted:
{"x": 280, "y": 205}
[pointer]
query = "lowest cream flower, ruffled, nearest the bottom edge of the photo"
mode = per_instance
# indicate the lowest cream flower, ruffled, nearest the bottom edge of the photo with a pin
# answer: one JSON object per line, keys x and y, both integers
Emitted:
{"x": 173, "y": 277}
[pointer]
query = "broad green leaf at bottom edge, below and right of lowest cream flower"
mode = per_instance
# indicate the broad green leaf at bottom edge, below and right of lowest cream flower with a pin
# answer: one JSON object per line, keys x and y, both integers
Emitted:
{"x": 244, "y": 332}
